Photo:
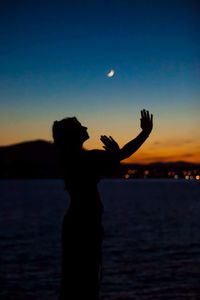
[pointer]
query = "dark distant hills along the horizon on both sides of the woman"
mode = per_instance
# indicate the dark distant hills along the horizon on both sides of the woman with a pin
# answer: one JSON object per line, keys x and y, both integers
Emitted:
{"x": 37, "y": 159}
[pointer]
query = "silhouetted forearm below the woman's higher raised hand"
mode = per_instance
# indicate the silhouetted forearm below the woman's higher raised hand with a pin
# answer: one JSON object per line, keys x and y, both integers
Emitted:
{"x": 132, "y": 146}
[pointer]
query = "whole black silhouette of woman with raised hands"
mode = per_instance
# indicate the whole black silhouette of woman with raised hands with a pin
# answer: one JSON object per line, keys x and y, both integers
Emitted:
{"x": 82, "y": 231}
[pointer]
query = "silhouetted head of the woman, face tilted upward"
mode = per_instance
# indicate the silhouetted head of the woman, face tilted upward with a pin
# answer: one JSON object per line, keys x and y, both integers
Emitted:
{"x": 69, "y": 133}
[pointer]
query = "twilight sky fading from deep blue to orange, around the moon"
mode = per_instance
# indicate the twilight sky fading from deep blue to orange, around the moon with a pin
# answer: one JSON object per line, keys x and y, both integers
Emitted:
{"x": 54, "y": 57}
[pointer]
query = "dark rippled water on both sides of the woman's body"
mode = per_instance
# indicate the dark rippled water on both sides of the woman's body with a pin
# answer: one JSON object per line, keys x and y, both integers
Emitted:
{"x": 151, "y": 248}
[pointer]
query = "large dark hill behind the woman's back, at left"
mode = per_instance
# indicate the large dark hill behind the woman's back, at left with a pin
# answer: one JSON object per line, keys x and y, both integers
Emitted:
{"x": 34, "y": 159}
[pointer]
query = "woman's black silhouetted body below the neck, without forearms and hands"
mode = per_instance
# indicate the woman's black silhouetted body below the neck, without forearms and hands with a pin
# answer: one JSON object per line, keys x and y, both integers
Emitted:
{"x": 82, "y": 231}
